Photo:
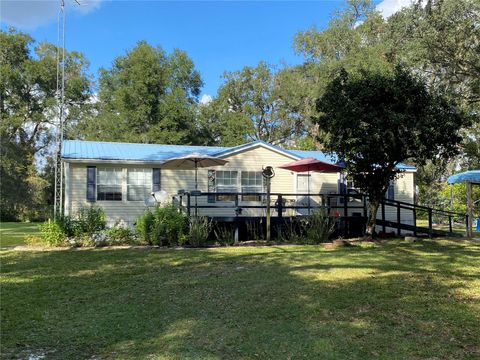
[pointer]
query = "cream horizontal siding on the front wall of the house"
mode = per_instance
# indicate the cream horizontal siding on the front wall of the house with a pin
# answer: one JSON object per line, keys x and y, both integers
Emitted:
{"x": 172, "y": 180}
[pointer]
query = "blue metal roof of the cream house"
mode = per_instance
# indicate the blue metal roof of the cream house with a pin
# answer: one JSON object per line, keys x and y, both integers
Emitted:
{"x": 99, "y": 150}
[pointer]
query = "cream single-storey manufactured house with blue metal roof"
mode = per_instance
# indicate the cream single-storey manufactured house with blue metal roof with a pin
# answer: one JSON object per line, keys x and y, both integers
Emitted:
{"x": 119, "y": 177}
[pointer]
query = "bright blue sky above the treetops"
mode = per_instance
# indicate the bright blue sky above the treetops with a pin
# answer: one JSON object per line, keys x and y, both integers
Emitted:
{"x": 218, "y": 36}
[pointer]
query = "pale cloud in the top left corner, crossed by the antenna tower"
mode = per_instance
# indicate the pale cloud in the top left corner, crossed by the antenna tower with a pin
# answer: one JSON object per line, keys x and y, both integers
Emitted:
{"x": 29, "y": 14}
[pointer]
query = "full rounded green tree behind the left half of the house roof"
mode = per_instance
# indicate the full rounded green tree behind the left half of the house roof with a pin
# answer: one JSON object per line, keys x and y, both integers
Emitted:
{"x": 147, "y": 96}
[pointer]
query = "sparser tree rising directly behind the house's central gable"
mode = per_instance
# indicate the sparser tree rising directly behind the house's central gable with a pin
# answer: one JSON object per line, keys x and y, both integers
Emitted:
{"x": 252, "y": 106}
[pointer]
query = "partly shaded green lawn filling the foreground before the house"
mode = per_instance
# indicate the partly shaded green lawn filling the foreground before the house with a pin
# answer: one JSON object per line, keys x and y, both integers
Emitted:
{"x": 393, "y": 300}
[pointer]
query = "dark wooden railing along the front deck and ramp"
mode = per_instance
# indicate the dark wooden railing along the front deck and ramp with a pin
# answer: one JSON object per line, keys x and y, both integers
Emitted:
{"x": 347, "y": 207}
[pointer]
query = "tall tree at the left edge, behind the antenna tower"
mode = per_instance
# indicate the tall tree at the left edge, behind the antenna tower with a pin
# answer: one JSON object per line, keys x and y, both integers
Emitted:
{"x": 29, "y": 114}
